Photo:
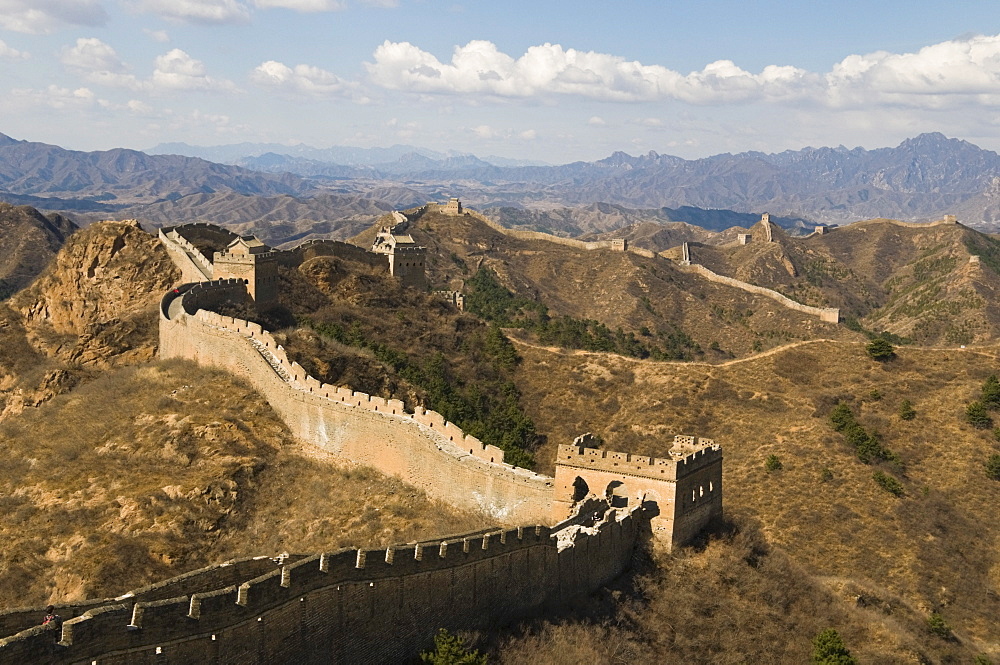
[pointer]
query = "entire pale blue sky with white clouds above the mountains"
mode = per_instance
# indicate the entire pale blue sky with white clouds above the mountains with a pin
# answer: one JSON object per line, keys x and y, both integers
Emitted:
{"x": 554, "y": 81}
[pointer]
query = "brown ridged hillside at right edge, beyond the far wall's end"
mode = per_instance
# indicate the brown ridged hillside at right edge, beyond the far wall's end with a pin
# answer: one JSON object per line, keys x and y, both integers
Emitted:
{"x": 915, "y": 281}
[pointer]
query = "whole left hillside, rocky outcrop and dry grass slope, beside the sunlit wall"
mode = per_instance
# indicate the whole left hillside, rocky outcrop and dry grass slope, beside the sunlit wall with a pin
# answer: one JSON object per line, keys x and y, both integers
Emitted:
{"x": 122, "y": 470}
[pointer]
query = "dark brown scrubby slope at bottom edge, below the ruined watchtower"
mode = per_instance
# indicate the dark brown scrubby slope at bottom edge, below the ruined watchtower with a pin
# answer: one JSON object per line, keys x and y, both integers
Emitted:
{"x": 734, "y": 599}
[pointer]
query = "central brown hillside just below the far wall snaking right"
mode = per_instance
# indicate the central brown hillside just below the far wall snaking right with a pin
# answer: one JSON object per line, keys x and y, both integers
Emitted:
{"x": 648, "y": 297}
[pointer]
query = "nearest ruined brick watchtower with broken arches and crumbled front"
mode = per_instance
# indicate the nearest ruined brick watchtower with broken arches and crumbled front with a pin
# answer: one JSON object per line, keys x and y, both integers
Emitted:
{"x": 682, "y": 492}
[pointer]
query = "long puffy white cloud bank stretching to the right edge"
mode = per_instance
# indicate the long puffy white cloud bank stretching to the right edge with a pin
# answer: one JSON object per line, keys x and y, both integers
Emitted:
{"x": 949, "y": 72}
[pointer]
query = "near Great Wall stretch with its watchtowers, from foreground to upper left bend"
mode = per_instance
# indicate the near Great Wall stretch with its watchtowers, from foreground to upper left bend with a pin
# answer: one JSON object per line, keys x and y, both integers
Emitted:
{"x": 375, "y": 606}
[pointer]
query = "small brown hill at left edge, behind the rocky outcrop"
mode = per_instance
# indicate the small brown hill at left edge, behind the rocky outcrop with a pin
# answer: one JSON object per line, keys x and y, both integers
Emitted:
{"x": 28, "y": 241}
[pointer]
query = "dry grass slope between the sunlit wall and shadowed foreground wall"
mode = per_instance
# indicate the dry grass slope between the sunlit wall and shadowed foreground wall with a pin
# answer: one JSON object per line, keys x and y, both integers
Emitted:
{"x": 149, "y": 471}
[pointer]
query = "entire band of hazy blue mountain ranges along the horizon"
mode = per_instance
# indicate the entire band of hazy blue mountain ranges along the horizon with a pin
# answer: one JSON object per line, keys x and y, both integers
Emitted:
{"x": 919, "y": 180}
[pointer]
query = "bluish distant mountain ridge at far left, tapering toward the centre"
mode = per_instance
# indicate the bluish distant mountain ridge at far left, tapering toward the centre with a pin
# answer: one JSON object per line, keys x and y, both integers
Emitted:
{"x": 124, "y": 176}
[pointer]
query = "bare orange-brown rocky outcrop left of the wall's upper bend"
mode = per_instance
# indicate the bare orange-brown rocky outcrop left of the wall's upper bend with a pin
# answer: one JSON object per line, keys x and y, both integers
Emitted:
{"x": 96, "y": 303}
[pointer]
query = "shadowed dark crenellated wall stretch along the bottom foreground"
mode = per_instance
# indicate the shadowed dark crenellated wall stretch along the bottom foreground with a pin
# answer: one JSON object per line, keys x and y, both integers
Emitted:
{"x": 350, "y": 606}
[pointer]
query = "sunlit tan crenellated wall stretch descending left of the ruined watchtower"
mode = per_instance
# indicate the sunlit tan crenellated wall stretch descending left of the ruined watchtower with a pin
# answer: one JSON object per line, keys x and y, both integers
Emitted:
{"x": 421, "y": 448}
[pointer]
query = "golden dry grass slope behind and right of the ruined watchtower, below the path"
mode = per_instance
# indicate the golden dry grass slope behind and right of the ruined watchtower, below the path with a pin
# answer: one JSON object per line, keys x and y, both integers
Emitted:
{"x": 934, "y": 547}
